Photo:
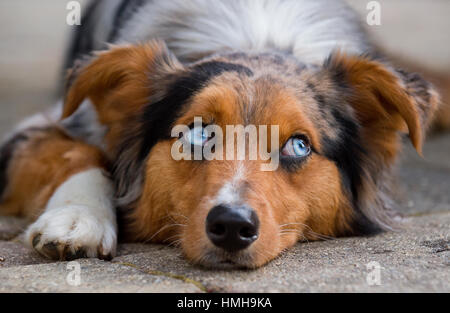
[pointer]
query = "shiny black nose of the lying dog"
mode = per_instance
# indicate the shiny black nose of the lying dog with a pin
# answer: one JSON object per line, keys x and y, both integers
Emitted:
{"x": 232, "y": 228}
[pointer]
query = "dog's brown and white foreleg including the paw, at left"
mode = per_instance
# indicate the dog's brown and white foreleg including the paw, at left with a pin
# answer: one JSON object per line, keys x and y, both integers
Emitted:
{"x": 60, "y": 184}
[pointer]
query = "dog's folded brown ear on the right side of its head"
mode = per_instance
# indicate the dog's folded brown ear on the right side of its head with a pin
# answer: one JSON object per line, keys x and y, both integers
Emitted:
{"x": 385, "y": 101}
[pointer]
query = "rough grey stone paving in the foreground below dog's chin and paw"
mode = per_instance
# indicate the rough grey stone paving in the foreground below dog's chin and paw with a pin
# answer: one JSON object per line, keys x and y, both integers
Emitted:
{"x": 414, "y": 260}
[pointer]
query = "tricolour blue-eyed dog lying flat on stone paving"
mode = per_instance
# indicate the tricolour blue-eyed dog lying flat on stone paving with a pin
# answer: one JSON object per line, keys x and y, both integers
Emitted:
{"x": 101, "y": 165}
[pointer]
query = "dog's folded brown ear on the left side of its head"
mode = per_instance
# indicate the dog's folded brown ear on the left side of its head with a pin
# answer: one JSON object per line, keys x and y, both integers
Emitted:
{"x": 119, "y": 81}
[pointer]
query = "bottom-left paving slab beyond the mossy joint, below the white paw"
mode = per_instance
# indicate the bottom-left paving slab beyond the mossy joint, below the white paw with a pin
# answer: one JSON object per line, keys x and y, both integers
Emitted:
{"x": 95, "y": 276}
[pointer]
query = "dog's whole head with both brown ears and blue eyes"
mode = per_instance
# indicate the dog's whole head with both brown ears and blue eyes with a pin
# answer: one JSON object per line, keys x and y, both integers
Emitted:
{"x": 337, "y": 129}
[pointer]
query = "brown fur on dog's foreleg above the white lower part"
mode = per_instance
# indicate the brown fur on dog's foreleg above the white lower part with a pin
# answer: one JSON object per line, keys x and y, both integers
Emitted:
{"x": 40, "y": 165}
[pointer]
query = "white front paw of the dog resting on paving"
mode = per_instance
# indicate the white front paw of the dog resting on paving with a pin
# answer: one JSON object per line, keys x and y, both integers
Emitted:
{"x": 73, "y": 232}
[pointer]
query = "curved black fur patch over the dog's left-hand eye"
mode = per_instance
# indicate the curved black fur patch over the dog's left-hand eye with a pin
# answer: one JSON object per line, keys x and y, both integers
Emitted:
{"x": 158, "y": 118}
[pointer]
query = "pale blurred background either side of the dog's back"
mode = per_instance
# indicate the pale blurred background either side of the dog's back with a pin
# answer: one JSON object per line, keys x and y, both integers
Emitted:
{"x": 34, "y": 37}
